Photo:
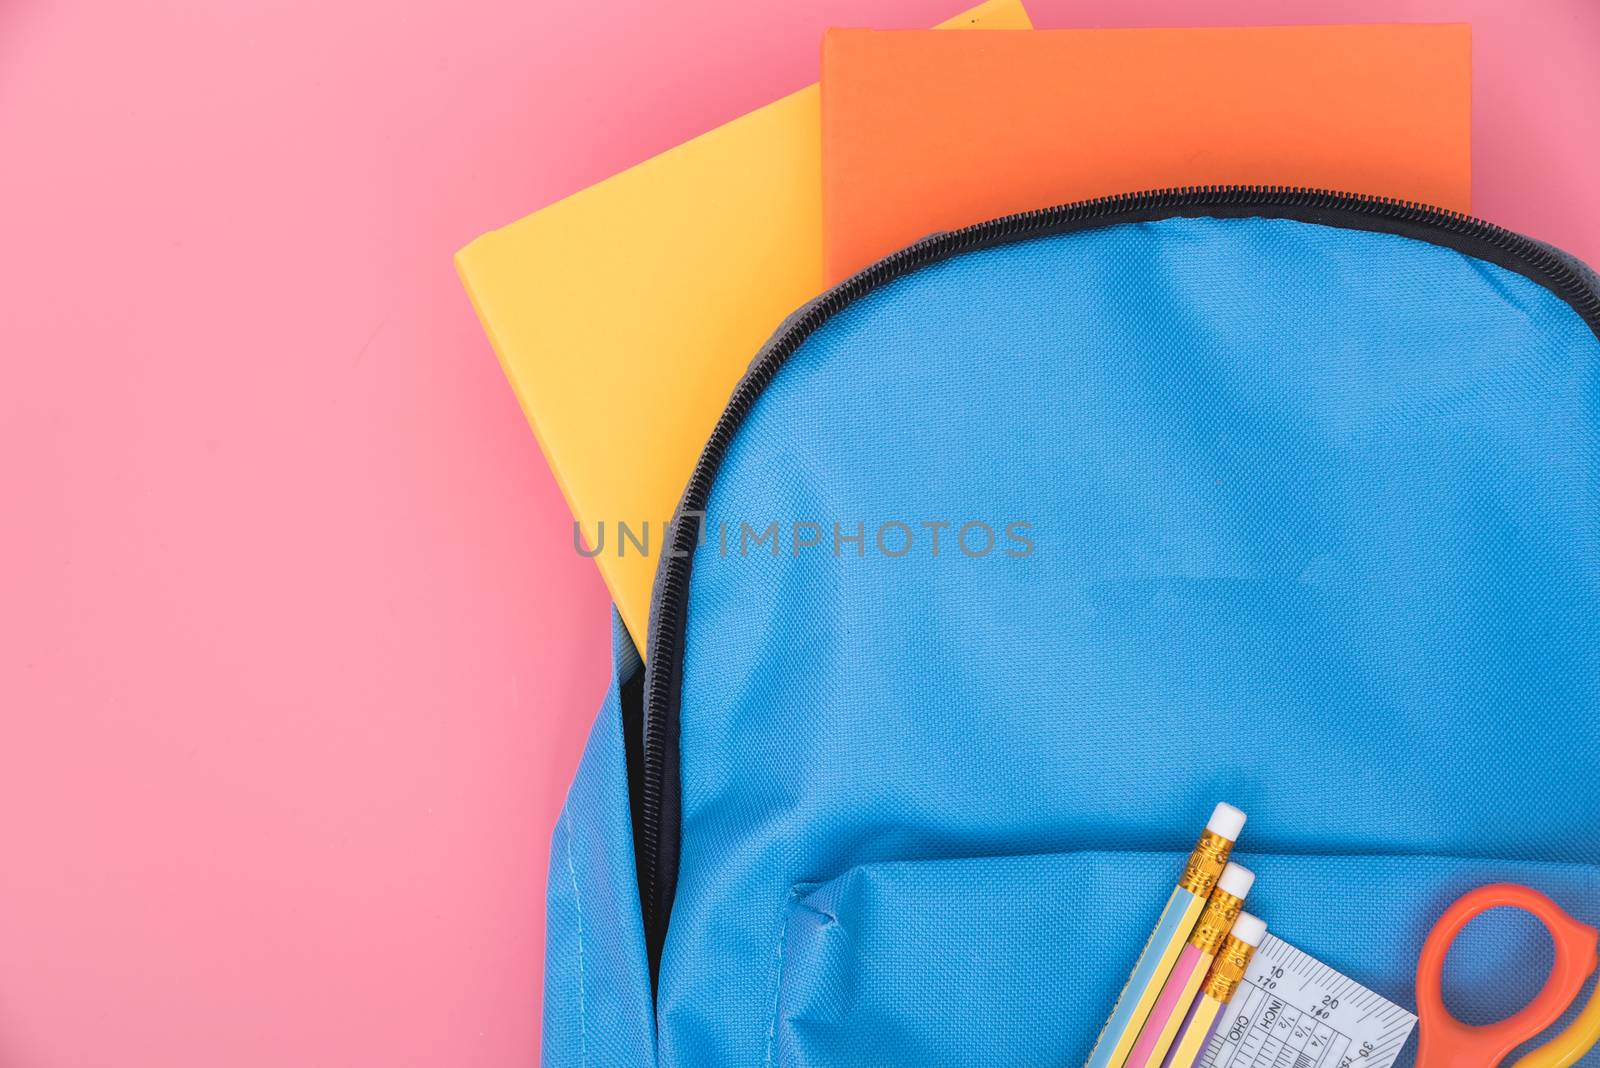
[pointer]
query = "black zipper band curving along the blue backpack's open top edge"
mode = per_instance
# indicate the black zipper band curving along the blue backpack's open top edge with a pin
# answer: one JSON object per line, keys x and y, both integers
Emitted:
{"x": 657, "y": 805}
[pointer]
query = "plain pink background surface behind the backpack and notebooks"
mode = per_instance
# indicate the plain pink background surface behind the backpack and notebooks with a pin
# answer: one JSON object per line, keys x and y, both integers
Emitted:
{"x": 295, "y": 655}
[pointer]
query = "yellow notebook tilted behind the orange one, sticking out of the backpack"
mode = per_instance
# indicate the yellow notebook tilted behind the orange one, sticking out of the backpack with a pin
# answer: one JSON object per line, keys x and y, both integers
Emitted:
{"x": 626, "y": 314}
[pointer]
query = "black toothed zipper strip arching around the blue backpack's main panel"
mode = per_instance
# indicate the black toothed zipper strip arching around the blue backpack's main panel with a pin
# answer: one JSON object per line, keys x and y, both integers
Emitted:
{"x": 673, "y": 594}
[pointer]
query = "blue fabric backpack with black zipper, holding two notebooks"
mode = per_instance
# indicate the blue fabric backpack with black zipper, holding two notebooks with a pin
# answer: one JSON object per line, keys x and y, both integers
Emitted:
{"x": 1017, "y": 552}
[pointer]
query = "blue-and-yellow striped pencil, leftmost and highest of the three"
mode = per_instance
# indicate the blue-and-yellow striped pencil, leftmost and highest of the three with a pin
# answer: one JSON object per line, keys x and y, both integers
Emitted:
{"x": 1161, "y": 952}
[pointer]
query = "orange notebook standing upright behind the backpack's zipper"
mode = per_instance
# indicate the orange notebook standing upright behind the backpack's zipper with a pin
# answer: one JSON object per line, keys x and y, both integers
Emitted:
{"x": 932, "y": 132}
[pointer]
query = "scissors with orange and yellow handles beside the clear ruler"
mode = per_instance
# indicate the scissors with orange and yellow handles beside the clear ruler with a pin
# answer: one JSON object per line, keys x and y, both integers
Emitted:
{"x": 1444, "y": 1042}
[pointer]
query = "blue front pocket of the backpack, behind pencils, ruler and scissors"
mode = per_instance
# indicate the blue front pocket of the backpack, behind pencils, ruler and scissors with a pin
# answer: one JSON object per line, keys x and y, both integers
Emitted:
{"x": 1018, "y": 960}
